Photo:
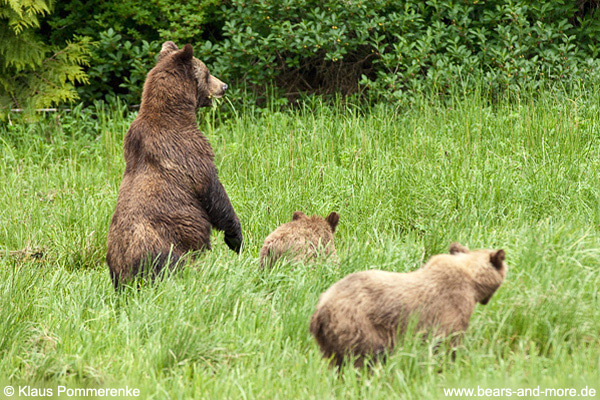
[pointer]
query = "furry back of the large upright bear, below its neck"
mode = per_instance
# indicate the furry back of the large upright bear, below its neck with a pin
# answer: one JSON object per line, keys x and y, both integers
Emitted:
{"x": 159, "y": 203}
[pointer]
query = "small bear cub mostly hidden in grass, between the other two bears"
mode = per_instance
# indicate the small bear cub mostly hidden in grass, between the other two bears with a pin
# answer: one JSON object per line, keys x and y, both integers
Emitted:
{"x": 302, "y": 239}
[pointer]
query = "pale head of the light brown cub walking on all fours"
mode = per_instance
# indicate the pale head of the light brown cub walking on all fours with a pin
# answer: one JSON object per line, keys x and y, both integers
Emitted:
{"x": 486, "y": 267}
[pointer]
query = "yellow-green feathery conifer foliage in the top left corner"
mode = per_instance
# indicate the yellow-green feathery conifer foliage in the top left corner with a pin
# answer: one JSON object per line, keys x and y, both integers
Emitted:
{"x": 33, "y": 73}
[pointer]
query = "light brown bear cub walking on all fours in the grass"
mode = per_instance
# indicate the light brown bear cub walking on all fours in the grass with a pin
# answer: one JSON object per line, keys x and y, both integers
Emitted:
{"x": 362, "y": 314}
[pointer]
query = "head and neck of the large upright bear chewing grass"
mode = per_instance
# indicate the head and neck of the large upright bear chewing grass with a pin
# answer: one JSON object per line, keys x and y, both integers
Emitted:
{"x": 179, "y": 81}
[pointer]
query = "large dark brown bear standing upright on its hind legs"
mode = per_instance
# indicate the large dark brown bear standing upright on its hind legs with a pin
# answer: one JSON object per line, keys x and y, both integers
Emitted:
{"x": 170, "y": 196}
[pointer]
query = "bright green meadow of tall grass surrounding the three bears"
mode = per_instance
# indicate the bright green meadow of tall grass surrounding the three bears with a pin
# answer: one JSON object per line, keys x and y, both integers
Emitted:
{"x": 522, "y": 174}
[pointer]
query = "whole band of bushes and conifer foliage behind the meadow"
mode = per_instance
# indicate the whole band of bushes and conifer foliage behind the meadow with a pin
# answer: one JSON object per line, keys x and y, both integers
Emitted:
{"x": 378, "y": 49}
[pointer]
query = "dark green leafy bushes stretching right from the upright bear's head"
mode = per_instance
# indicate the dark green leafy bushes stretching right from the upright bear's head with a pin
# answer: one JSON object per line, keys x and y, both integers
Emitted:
{"x": 398, "y": 48}
